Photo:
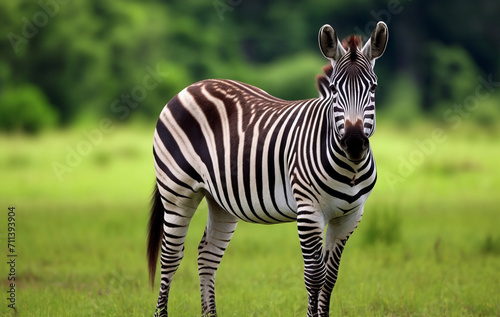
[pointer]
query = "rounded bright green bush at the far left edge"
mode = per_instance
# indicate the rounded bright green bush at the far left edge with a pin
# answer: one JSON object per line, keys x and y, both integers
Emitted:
{"x": 25, "y": 108}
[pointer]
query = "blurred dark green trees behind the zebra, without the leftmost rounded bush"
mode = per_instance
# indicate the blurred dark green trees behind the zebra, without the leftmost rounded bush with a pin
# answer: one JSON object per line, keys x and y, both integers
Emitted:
{"x": 84, "y": 56}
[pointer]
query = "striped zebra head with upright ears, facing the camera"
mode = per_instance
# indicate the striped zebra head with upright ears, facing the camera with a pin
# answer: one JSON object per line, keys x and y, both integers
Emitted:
{"x": 353, "y": 84}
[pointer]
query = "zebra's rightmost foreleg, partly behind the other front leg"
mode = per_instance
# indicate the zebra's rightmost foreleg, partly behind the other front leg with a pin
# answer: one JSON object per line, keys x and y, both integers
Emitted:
{"x": 337, "y": 233}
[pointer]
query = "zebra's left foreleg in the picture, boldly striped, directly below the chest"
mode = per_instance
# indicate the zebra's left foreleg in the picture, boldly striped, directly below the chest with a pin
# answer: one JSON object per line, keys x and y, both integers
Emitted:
{"x": 310, "y": 227}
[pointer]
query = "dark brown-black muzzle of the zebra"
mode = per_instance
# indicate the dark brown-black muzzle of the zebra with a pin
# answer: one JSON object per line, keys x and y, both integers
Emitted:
{"x": 354, "y": 142}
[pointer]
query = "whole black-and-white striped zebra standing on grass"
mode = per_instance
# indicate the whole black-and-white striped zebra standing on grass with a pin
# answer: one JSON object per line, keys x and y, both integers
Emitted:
{"x": 261, "y": 159}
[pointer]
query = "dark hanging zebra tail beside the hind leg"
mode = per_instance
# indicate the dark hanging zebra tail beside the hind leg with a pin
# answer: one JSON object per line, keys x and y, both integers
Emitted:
{"x": 155, "y": 227}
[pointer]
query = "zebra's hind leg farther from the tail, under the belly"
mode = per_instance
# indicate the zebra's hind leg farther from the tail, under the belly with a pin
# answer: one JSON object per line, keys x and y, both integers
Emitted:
{"x": 218, "y": 232}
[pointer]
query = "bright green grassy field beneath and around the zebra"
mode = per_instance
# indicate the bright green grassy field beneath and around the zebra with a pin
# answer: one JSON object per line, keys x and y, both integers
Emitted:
{"x": 429, "y": 243}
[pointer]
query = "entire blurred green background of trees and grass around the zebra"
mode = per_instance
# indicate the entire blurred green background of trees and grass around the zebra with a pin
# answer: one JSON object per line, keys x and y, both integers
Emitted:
{"x": 82, "y": 83}
